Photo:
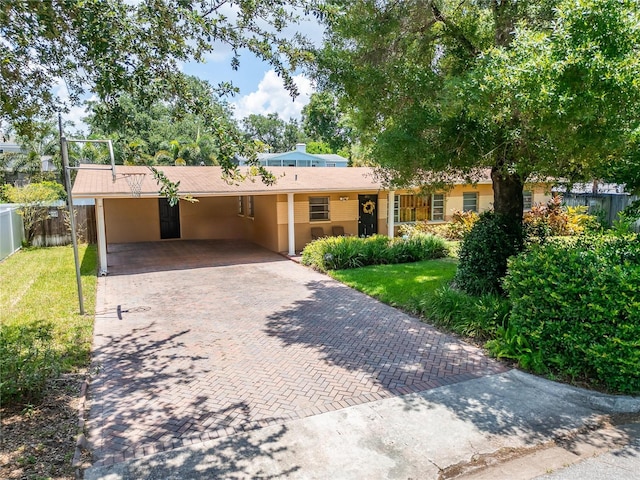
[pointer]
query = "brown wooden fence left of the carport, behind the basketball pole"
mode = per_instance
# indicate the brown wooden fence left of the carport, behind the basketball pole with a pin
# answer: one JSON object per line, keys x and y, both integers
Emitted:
{"x": 56, "y": 229}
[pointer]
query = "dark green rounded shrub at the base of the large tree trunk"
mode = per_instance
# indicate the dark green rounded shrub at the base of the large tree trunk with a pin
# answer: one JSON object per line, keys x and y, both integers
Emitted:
{"x": 484, "y": 252}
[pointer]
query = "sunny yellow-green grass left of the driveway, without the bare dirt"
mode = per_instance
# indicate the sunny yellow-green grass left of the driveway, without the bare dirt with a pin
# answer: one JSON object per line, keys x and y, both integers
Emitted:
{"x": 42, "y": 333}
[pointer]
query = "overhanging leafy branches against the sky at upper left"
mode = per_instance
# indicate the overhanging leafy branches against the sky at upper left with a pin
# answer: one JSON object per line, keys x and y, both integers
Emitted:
{"x": 135, "y": 48}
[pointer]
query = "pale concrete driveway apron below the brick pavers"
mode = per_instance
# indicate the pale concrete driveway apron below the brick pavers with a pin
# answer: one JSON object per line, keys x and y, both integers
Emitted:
{"x": 473, "y": 429}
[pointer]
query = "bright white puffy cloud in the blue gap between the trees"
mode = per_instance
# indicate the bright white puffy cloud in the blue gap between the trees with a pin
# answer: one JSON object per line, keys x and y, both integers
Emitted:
{"x": 272, "y": 97}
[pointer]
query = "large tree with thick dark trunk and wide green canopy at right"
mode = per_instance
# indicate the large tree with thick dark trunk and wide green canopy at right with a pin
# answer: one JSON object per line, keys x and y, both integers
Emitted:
{"x": 525, "y": 88}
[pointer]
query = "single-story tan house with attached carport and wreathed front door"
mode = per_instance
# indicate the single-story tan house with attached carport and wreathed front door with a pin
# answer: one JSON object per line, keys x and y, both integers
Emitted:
{"x": 278, "y": 217}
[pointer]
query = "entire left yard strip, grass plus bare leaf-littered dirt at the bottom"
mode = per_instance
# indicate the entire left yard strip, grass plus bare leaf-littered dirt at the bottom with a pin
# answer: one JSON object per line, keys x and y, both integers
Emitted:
{"x": 44, "y": 351}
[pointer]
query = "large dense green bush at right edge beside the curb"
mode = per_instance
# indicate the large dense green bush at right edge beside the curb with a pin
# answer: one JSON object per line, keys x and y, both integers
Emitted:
{"x": 576, "y": 311}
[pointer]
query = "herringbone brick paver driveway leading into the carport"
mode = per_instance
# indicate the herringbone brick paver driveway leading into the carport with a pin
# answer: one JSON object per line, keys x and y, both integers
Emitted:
{"x": 197, "y": 340}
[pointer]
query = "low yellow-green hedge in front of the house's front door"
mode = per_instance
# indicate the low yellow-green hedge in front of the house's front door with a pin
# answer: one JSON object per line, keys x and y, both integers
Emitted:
{"x": 337, "y": 253}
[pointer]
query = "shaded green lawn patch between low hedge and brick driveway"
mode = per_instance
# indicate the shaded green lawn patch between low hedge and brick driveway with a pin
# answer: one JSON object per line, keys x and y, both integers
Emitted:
{"x": 401, "y": 285}
